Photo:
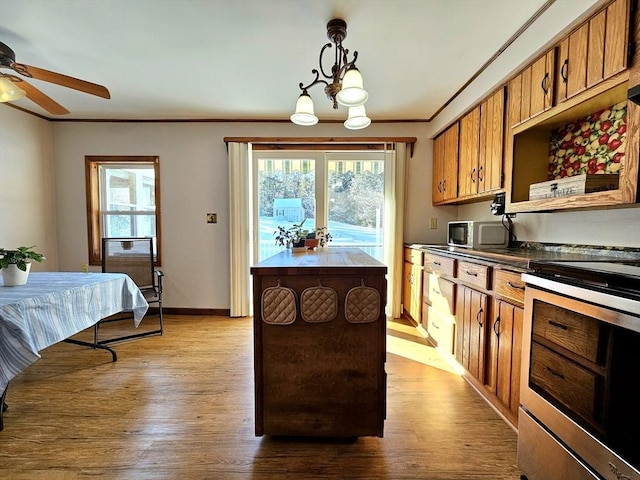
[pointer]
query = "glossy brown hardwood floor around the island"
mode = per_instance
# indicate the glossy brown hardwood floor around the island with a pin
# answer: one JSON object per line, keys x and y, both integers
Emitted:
{"x": 180, "y": 406}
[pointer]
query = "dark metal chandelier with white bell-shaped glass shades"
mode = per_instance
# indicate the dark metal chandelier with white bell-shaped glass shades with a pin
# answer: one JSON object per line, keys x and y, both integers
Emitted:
{"x": 346, "y": 87}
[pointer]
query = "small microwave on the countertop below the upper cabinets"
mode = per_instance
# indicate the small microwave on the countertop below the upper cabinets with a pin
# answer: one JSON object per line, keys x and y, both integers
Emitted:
{"x": 477, "y": 235}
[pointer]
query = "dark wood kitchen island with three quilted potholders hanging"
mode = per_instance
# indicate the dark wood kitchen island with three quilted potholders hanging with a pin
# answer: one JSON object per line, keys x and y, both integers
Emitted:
{"x": 320, "y": 343}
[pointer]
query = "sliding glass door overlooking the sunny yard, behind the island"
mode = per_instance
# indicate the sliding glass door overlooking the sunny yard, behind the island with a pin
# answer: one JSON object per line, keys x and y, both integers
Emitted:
{"x": 343, "y": 191}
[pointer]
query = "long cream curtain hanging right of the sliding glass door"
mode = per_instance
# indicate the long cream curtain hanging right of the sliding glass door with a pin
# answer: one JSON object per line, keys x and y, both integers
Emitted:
{"x": 394, "y": 205}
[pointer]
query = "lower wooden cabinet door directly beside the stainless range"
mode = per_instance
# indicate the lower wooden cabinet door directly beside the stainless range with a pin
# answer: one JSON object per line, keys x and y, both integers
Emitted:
{"x": 504, "y": 352}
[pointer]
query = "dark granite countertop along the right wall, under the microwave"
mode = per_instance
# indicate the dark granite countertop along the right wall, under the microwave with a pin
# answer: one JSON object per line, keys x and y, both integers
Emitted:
{"x": 520, "y": 256}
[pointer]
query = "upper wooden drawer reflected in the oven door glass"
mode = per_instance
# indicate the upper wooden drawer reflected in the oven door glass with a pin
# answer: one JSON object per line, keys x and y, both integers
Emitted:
{"x": 575, "y": 332}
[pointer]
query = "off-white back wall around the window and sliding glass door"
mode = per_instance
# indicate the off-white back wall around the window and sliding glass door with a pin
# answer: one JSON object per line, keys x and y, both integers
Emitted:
{"x": 194, "y": 181}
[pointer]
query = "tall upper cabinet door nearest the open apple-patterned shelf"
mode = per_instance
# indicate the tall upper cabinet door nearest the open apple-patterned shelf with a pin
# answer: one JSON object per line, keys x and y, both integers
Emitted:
{"x": 491, "y": 143}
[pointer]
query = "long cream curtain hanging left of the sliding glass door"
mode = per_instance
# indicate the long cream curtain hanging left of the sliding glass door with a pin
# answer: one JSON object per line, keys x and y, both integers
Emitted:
{"x": 240, "y": 219}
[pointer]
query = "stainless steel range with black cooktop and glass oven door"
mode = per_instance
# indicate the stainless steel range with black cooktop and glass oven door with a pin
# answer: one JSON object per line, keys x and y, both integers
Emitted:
{"x": 579, "y": 414}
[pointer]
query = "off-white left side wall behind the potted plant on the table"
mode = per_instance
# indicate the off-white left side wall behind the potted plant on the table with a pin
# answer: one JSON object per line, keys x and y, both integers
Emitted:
{"x": 27, "y": 213}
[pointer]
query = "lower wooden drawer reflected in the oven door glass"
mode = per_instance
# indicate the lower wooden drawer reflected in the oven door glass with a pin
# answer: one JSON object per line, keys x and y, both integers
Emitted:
{"x": 565, "y": 381}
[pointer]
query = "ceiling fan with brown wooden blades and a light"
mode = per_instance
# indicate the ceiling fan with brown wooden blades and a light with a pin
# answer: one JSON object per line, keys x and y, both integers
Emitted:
{"x": 8, "y": 60}
